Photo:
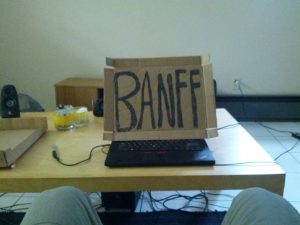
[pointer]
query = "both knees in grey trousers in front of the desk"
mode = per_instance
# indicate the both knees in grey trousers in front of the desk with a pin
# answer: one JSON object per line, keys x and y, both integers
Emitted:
{"x": 70, "y": 206}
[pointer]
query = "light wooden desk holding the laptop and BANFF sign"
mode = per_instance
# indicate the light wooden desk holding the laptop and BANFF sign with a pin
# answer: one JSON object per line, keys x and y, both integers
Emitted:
{"x": 36, "y": 170}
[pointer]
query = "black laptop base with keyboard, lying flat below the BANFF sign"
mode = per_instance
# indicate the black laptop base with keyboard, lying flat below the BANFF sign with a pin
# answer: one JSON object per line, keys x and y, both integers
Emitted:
{"x": 182, "y": 152}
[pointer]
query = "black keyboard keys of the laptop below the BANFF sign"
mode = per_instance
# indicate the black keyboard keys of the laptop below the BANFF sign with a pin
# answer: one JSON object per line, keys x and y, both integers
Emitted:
{"x": 165, "y": 145}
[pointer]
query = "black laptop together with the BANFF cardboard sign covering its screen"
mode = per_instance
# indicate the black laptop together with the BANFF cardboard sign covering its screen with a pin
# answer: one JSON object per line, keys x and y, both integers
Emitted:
{"x": 152, "y": 100}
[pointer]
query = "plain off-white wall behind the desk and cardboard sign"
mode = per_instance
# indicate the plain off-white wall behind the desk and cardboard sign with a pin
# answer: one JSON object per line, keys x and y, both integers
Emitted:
{"x": 43, "y": 42}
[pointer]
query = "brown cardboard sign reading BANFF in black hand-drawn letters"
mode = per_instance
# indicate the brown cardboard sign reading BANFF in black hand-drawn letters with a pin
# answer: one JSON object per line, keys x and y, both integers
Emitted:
{"x": 159, "y": 98}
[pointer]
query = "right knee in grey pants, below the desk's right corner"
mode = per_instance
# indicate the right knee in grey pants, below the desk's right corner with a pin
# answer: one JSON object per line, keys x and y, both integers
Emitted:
{"x": 257, "y": 206}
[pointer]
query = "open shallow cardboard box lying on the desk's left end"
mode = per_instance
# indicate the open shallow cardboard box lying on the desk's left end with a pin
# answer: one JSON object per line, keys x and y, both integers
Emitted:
{"x": 17, "y": 135}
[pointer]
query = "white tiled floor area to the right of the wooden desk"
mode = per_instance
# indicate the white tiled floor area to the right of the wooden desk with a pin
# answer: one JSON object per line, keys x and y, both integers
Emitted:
{"x": 276, "y": 143}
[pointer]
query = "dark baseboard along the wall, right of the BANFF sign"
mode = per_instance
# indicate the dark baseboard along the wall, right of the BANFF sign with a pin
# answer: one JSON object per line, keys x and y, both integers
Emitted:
{"x": 261, "y": 108}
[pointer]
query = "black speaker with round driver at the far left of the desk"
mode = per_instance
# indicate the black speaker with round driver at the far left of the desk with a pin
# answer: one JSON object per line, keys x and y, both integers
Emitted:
{"x": 9, "y": 102}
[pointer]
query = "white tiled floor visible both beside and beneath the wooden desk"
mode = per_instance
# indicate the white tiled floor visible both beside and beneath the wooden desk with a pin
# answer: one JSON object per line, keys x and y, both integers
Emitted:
{"x": 274, "y": 142}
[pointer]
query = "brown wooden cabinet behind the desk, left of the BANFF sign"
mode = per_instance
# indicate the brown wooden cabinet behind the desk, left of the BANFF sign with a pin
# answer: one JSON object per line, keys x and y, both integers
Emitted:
{"x": 79, "y": 91}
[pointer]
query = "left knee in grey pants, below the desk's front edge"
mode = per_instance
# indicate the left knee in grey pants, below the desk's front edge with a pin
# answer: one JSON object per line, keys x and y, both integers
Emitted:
{"x": 62, "y": 206}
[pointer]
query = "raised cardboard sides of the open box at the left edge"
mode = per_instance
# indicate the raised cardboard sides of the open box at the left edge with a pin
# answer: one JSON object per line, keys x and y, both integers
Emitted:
{"x": 39, "y": 124}
